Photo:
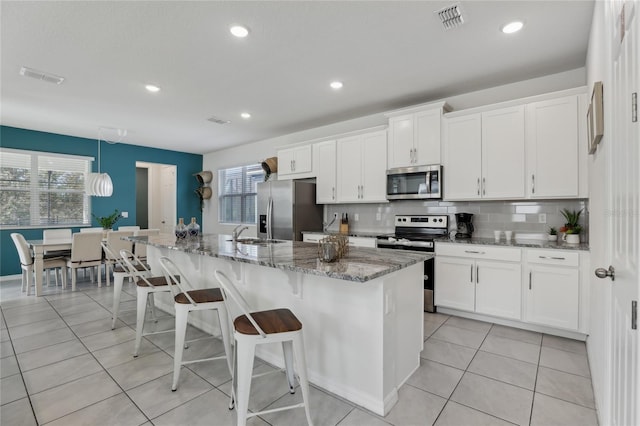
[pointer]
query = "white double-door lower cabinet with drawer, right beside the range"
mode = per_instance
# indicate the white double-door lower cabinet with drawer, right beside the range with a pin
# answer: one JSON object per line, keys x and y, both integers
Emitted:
{"x": 481, "y": 279}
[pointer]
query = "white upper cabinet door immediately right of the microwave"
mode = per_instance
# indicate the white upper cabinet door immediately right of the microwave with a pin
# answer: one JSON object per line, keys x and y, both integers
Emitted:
{"x": 462, "y": 167}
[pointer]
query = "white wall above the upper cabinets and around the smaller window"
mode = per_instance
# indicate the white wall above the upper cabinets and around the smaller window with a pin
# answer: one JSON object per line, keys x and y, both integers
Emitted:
{"x": 258, "y": 151}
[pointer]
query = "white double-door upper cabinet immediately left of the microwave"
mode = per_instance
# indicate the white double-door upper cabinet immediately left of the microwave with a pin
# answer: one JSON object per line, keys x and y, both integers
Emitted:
{"x": 361, "y": 173}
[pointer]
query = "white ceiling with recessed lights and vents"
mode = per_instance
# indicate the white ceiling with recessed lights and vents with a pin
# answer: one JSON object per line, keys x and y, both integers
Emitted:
{"x": 387, "y": 54}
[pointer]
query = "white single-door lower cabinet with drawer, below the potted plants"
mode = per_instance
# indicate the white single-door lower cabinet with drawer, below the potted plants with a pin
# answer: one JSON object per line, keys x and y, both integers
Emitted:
{"x": 553, "y": 288}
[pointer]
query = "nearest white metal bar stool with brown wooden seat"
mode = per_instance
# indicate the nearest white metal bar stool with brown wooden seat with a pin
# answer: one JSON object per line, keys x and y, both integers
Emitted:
{"x": 254, "y": 328}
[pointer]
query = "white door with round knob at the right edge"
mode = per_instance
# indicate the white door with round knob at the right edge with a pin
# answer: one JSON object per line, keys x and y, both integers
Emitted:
{"x": 624, "y": 205}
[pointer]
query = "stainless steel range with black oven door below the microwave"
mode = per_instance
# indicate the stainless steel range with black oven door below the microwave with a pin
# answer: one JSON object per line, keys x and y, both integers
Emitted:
{"x": 418, "y": 233}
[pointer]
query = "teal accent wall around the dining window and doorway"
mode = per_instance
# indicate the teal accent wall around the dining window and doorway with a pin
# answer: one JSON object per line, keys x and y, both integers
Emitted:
{"x": 119, "y": 160}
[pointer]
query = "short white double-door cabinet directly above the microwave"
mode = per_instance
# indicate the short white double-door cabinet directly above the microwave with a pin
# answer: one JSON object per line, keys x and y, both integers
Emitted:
{"x": 414, "y": 136}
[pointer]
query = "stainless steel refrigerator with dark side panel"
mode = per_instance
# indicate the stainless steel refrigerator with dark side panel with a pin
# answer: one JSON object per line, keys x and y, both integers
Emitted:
{"x": 286, "y": 208}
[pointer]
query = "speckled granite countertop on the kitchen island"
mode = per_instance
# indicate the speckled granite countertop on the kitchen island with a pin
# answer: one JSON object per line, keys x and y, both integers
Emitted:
{"x": 360, "y": 264}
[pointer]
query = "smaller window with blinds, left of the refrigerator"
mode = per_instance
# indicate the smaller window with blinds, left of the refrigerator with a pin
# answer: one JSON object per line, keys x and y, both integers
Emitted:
{"x": 237, "y": 193}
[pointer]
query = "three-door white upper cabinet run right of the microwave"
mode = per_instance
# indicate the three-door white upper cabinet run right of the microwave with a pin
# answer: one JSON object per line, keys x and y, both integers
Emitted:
{"x": 525, "y": 150}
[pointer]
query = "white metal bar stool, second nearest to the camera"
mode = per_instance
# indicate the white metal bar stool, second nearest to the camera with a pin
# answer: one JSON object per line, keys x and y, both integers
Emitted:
{"x": 187, "y": 299}
